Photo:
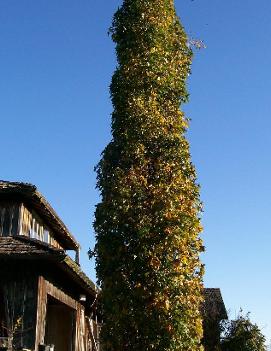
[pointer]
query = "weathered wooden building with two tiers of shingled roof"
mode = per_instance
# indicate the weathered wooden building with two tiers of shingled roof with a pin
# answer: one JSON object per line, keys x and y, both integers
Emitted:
{"x": 45, "y": 298}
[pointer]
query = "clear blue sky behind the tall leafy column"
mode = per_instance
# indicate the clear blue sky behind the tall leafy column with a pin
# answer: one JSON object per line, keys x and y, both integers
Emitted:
{"x": 56, "y": 66}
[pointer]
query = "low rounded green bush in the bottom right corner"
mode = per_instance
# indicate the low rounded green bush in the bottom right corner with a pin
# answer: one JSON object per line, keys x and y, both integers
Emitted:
{"x": 242, "y": 335}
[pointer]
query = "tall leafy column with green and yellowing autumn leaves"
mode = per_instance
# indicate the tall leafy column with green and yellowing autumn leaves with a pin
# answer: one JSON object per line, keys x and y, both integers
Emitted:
{"x": 147, "y": 223}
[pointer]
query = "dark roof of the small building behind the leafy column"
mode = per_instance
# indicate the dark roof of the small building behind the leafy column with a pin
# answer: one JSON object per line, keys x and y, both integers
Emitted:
{"x": 213, "y": 306}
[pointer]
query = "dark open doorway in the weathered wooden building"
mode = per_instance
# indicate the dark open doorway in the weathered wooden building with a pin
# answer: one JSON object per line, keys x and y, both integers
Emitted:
{"x": 60, "y": 323}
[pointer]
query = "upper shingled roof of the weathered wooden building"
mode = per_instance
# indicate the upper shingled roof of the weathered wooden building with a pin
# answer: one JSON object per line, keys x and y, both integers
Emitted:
{"x": 29, "y": 194}
